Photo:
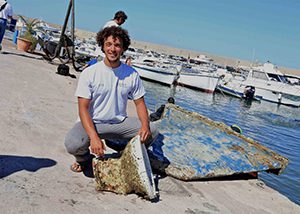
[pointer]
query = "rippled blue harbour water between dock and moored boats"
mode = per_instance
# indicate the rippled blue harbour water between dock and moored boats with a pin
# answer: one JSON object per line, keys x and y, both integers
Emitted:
{"x": 274, "y": 126}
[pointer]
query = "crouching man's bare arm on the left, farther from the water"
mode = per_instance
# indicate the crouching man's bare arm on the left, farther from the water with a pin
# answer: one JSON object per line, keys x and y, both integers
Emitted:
{"x": 97, "y": 146}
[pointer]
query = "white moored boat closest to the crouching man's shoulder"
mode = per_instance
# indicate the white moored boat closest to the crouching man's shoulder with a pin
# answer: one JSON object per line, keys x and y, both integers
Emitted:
{"x": 153, "y": 69}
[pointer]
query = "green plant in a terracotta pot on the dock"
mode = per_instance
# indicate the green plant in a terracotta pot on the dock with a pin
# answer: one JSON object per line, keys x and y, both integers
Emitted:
{"x": 26, "y": 41}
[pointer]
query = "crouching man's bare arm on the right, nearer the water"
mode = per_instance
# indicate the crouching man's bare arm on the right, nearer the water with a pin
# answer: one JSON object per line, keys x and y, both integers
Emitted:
{"x": 142, "y": 112}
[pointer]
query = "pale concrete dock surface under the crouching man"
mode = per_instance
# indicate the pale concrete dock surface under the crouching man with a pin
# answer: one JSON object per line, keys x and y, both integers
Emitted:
{"x": 38, "y": 107}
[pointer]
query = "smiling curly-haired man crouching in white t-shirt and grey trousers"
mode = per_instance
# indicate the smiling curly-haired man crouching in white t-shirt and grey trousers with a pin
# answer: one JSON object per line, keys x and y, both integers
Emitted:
{"x": 103, "y": 91}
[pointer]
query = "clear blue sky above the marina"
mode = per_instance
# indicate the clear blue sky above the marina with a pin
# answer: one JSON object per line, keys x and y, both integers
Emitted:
{"x": 251, "y": 30}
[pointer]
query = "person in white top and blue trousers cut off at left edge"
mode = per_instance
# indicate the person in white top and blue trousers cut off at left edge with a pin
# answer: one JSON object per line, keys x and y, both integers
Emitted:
{"x": 6, "y": 12}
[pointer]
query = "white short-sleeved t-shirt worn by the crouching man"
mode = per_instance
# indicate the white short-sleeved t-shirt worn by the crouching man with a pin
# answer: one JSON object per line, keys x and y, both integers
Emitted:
{"x": 109, "y": 90}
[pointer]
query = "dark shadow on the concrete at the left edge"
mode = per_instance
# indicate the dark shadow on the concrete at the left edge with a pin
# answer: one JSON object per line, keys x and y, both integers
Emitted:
{"x": 10, "y": 164}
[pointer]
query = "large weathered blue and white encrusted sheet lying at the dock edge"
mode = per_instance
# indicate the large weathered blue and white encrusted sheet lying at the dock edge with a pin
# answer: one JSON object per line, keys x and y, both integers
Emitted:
{"x": 197, "y": 147}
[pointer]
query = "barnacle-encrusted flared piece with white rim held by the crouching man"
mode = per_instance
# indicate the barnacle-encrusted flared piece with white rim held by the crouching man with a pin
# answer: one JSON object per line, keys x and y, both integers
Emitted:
{"x": 130, "y": 173}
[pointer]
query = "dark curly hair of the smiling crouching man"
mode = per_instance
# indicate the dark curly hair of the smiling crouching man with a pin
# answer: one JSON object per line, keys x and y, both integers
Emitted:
{"x": 115, "y": 32}
